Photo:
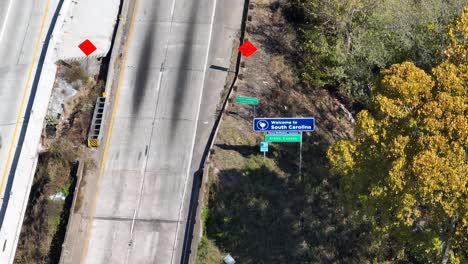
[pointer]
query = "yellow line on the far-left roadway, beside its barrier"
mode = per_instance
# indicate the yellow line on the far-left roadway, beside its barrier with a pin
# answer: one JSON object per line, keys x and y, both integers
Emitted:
{"x": 23, "y": 99}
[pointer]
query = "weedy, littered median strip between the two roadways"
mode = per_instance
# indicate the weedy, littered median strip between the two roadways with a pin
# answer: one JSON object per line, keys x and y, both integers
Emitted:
{"x": 63, "y": 145}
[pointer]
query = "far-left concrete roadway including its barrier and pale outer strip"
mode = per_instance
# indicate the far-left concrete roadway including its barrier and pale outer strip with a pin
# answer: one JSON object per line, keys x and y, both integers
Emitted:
{"x": 23, "y": 29}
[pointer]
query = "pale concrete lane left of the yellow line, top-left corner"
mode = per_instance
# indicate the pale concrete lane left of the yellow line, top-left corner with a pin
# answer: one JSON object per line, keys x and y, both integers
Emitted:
{"x": 20, "y": 23}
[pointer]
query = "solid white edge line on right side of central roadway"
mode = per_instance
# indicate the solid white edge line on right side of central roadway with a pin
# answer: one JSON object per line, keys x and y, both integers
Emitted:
{"x": 196, "y": 124}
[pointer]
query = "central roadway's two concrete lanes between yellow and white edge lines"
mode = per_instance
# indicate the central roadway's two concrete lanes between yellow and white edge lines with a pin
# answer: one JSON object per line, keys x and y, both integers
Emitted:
{"x": 138, "y": 207}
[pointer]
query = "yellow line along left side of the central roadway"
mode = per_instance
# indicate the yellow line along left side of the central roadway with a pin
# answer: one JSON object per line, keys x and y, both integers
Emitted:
{"x": 107, "y": 143}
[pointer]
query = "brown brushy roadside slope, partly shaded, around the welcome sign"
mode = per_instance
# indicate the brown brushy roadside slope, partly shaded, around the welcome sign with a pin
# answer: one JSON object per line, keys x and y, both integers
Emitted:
{"x": 264, "y": 212}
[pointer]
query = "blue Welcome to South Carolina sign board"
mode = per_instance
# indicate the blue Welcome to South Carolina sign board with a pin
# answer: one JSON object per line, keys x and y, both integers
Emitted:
{"x": 284, "y": 124}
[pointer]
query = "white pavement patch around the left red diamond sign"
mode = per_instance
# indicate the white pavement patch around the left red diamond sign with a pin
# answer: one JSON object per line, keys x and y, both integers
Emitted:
{"x": 87, "y": 19}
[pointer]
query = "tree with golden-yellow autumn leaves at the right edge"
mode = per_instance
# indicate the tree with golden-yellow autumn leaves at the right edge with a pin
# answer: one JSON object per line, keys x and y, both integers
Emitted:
{"x": 406, "y": 169}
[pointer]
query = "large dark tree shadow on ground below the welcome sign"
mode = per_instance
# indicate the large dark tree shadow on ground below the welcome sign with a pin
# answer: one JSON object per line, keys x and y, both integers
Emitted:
{"x": 262, "y": 217}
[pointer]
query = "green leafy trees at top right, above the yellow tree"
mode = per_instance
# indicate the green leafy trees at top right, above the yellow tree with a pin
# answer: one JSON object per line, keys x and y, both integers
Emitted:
{"x": 345, "y": 44}
